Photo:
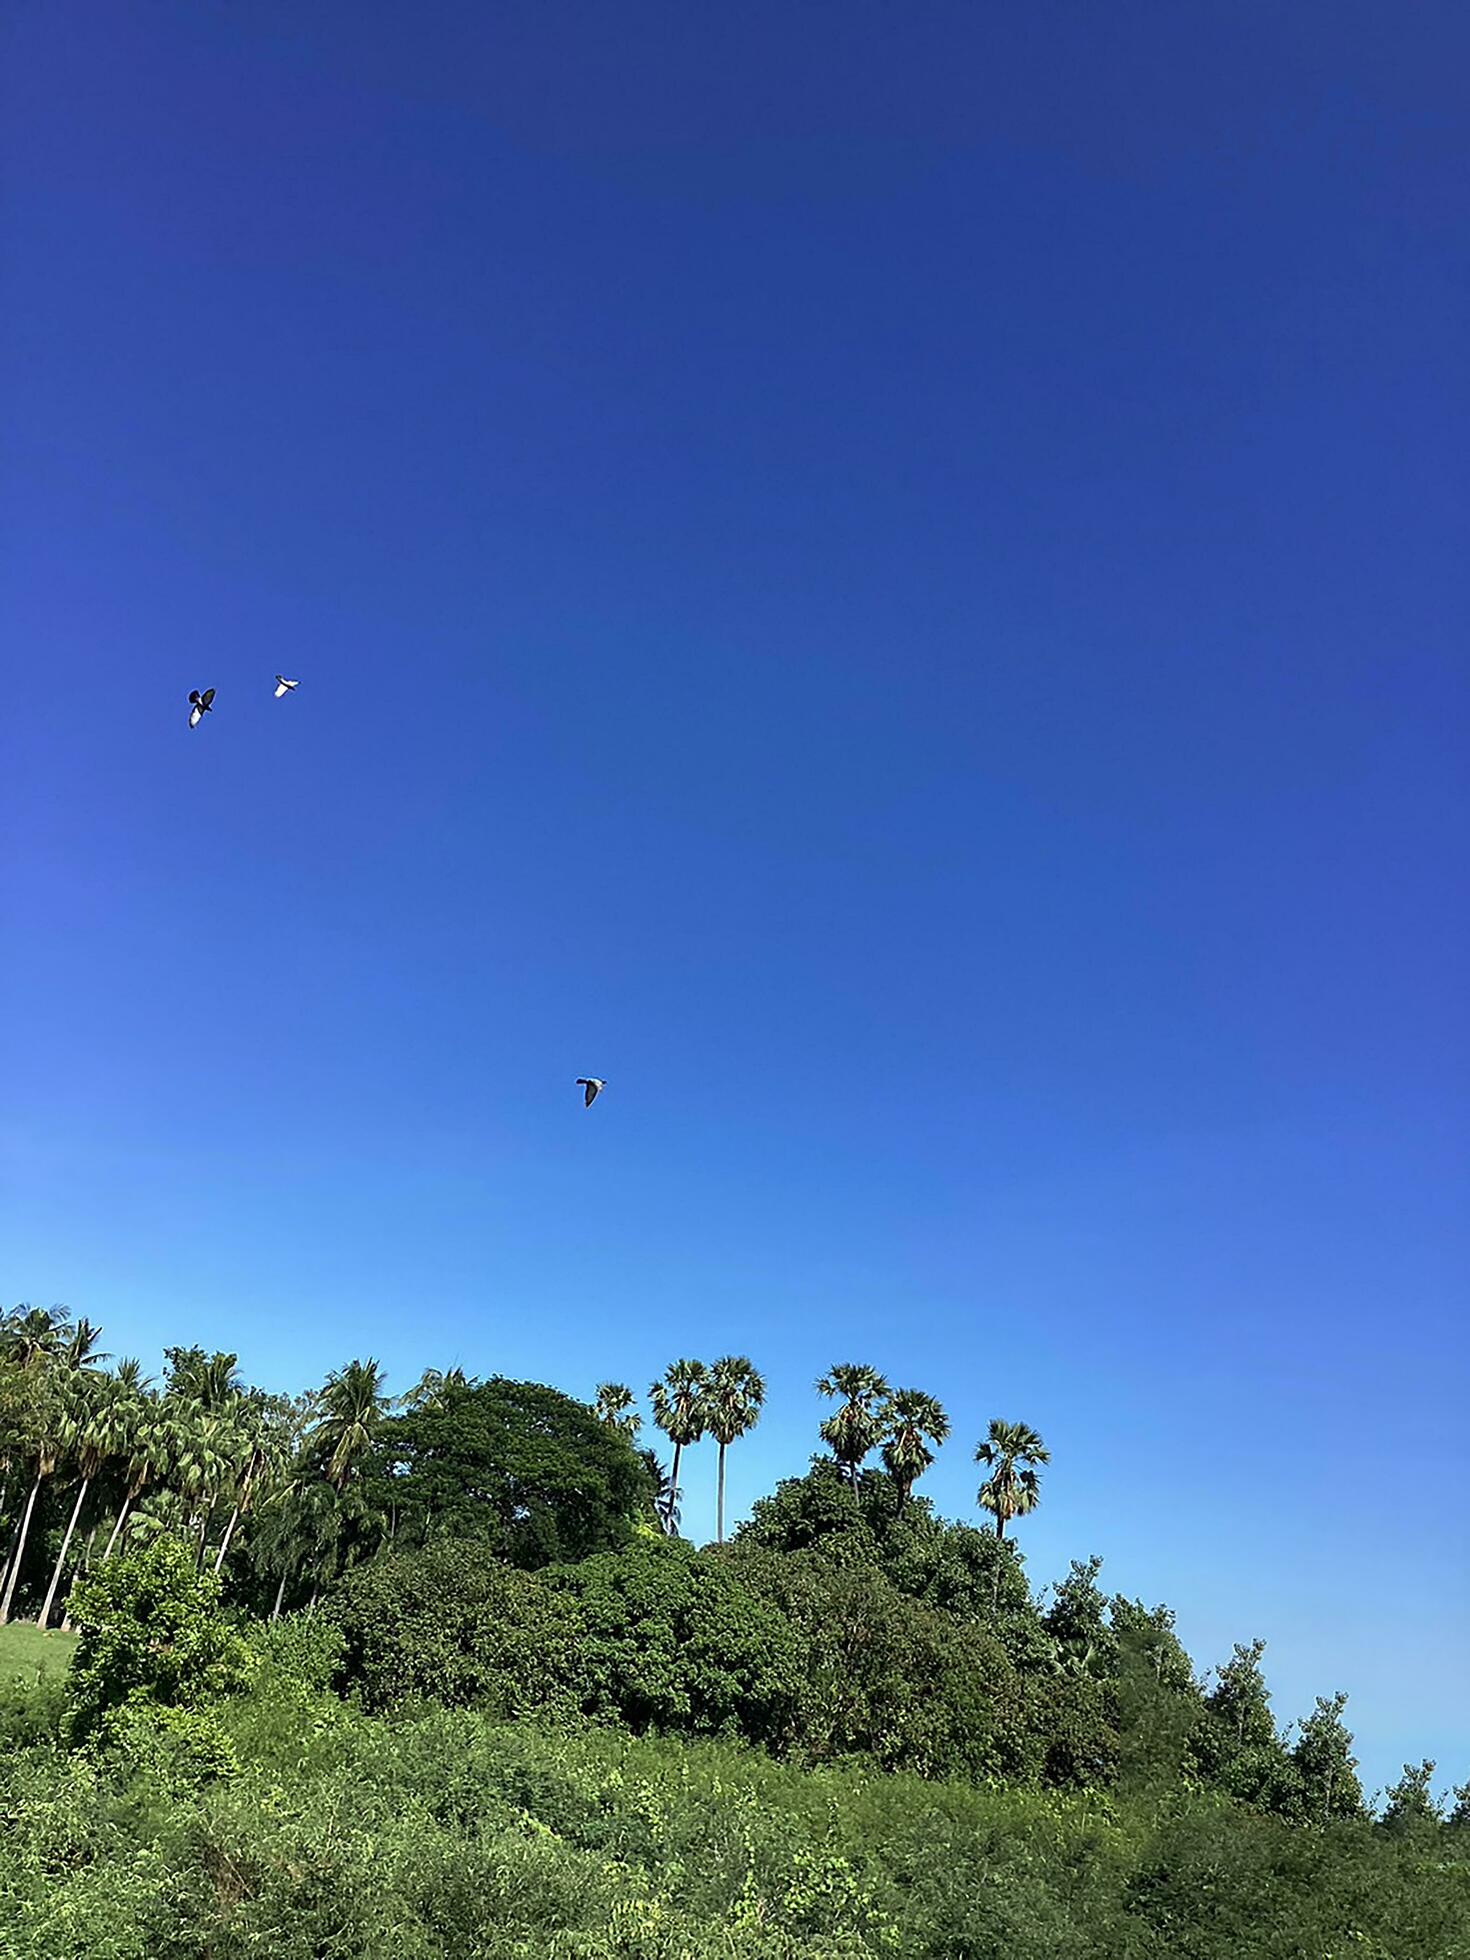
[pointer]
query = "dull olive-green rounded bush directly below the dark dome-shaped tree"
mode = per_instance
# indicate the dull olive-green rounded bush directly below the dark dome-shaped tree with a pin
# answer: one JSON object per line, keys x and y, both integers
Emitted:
{"x": 458, "y": 1626}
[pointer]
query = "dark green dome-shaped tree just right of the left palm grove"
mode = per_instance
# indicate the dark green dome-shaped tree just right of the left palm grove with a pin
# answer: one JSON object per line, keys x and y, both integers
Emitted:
{"x": 513, "y": 1465}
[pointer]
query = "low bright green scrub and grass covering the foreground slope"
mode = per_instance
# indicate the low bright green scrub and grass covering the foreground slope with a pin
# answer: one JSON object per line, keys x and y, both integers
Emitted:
{"x": 446, "y": 1836}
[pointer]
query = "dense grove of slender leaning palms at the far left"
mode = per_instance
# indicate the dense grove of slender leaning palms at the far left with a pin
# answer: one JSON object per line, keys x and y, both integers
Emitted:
{"x": 197, "y": 1455}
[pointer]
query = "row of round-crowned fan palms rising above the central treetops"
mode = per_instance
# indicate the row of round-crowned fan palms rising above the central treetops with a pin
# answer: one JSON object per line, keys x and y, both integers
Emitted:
{"x": 906, "y": 1426}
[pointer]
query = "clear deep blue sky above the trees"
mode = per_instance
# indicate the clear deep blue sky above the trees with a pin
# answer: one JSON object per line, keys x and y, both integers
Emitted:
{"x": 887, "y": 579}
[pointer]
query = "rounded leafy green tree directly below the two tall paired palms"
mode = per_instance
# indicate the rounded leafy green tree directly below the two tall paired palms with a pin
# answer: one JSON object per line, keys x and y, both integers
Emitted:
{"x": 673, "y": 1640}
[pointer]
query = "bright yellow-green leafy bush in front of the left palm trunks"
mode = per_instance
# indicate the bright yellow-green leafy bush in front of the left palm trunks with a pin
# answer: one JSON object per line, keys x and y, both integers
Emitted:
{"x": 150, "y": 1638}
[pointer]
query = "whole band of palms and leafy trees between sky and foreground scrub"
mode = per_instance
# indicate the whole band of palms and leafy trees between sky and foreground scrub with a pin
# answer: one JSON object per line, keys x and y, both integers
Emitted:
{"x": 505, "y": 1547}
